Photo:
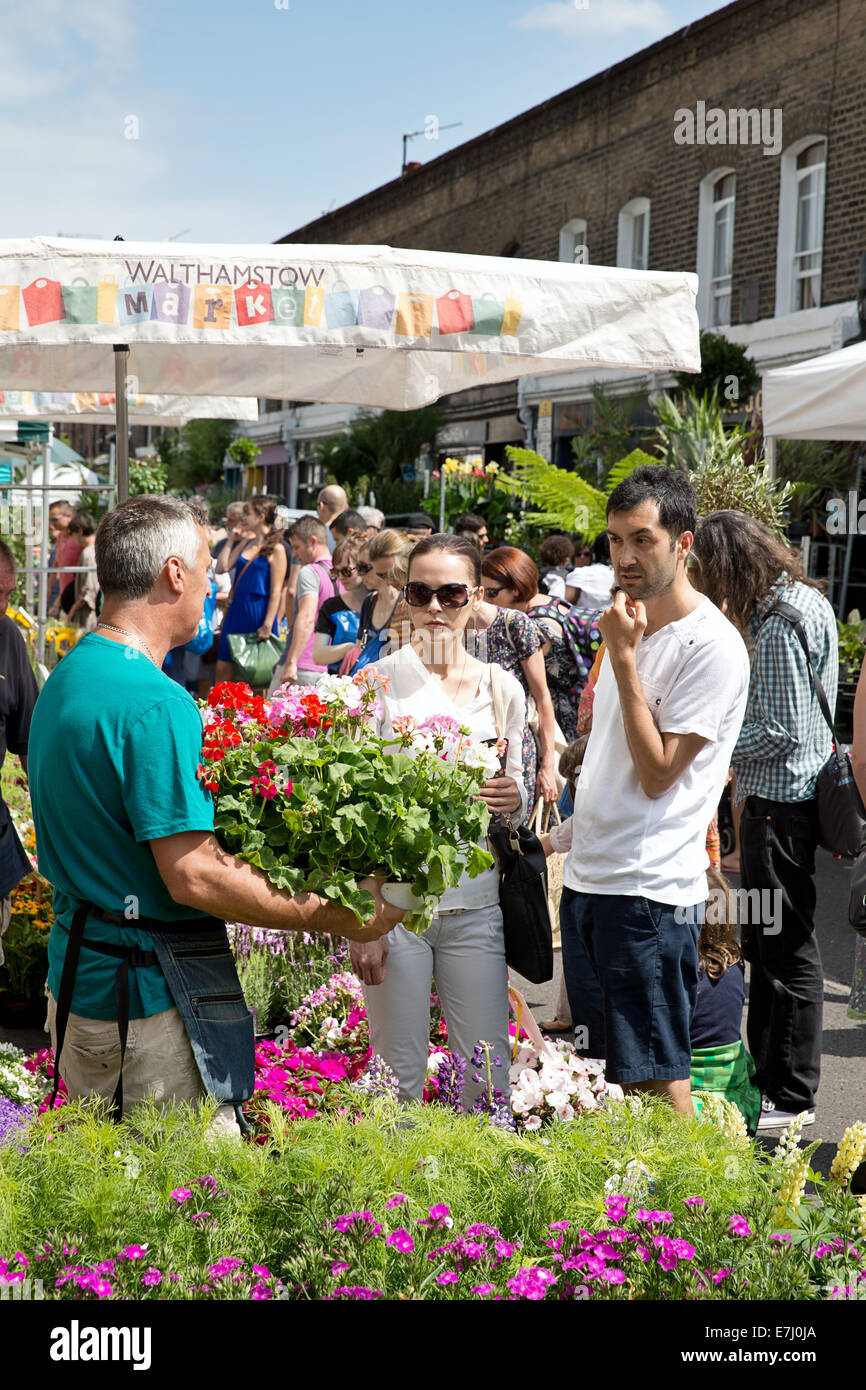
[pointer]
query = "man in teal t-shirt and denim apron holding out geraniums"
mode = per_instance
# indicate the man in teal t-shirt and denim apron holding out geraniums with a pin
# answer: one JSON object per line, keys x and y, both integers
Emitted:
{"x": 126, "y": 826}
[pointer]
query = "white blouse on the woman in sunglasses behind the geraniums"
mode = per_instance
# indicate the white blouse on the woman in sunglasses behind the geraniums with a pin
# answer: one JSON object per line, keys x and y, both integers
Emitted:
{"x": 415, "y": 692}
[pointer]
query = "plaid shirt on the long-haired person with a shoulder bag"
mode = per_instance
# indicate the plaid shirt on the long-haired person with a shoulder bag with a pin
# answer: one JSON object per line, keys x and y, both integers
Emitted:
{"x": 785, "y": 740}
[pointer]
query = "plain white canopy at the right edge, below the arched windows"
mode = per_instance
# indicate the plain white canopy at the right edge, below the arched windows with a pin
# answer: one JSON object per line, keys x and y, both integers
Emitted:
{"x": 824, "y": 398}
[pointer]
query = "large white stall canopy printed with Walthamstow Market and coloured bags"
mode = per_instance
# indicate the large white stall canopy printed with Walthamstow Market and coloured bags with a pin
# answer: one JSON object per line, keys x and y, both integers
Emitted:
{"x": 357, "y": 325}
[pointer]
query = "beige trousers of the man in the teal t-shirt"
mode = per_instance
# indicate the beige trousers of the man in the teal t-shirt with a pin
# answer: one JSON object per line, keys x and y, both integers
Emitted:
{"x": 159, "y": 1064}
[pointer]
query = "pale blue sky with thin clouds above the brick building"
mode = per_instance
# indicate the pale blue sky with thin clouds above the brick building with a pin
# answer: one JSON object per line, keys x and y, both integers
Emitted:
{"x": 240, "y": 120}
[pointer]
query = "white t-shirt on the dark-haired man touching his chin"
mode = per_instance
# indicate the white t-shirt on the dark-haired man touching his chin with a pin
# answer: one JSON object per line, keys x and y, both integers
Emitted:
{"x": 696, "y": 678}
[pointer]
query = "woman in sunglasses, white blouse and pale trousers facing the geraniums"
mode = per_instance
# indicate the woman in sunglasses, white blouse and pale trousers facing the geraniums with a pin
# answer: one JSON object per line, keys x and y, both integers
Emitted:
{"x": 434, "y": 675}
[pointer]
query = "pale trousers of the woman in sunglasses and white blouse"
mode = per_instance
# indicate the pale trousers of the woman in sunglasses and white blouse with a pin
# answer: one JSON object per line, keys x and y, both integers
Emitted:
{"x": 466, "y": 954}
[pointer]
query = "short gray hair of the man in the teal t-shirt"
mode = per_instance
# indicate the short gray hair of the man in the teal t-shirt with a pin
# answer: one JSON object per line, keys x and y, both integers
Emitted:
{"x": 136, "y": 540}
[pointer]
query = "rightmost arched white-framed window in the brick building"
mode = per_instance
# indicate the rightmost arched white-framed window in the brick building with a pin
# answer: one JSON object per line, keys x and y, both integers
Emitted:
{"x": 801, "y": 226}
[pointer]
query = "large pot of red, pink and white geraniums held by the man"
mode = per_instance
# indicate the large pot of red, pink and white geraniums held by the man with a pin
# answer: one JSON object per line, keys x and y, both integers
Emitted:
{"x": 308, "y": 792}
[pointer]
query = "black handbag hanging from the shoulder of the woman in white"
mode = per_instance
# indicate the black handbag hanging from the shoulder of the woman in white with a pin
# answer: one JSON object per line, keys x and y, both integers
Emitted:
{"x": 523, "y": 883}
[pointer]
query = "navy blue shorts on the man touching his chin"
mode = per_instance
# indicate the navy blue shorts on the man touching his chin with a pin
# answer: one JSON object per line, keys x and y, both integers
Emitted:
{"x": 646, "y": 956}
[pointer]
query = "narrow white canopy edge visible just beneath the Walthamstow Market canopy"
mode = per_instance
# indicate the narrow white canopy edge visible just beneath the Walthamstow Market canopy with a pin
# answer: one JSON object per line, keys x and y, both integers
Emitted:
{"x": 99, "y": 408}
